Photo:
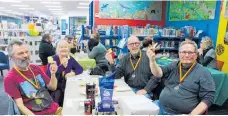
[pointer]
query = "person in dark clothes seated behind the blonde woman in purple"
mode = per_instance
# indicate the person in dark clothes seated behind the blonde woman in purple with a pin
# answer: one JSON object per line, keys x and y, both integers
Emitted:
{"x": 46, "y": 49}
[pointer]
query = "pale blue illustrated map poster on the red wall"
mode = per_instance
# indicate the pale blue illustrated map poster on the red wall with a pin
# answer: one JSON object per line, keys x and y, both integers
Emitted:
{"x": 136, "y": 10}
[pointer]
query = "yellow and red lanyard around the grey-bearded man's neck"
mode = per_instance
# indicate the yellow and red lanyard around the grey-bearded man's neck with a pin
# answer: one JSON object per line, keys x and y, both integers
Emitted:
{"x": 36, "y": 84}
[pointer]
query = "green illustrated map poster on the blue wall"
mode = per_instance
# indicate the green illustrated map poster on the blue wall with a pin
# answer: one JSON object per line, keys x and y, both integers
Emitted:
{"x": 191, "y": 10}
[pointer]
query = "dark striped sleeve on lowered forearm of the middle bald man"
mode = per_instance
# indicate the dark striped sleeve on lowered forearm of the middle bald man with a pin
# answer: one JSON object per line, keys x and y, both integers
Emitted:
{"x": 152, "y": 84}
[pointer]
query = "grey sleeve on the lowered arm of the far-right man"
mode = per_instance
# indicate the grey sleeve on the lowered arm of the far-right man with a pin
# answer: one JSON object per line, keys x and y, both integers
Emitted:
{"x": 207, "y": 89}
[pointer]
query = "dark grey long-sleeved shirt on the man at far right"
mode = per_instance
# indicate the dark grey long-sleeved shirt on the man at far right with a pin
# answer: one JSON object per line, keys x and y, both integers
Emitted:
{"x": 198, "y": 86}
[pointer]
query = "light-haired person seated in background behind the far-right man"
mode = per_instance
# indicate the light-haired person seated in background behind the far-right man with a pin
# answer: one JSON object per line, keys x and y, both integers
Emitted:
{"x": 207, "y": 55}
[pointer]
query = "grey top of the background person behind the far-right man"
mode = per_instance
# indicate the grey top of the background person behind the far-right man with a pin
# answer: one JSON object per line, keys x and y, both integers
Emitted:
{"x": 211, "y": 53}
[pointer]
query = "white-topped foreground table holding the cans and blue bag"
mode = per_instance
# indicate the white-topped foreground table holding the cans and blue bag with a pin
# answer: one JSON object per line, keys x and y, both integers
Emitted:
{"x": 73, "y": 98}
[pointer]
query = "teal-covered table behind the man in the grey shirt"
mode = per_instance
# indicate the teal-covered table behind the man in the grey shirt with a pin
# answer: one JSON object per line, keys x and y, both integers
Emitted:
{"x": 220, "y": 79}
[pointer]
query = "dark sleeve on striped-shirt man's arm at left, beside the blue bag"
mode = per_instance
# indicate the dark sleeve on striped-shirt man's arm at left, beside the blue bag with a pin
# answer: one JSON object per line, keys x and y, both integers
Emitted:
{"x": 119, "y": 69}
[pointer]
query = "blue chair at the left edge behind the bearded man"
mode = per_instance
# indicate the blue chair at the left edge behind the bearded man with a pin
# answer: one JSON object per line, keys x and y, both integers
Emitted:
{"x": 4, "y": 62}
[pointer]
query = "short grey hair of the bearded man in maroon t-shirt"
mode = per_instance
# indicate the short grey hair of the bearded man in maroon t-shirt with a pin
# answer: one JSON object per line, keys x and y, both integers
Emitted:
{"x": 11, "y": 44}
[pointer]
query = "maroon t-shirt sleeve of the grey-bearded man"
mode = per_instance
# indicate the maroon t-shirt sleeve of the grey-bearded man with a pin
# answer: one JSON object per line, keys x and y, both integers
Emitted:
{"x": 12, "y": 88}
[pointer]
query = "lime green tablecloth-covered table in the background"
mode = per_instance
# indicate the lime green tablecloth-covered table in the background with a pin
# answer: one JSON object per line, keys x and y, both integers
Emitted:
{"x": 85, "y": 62}
